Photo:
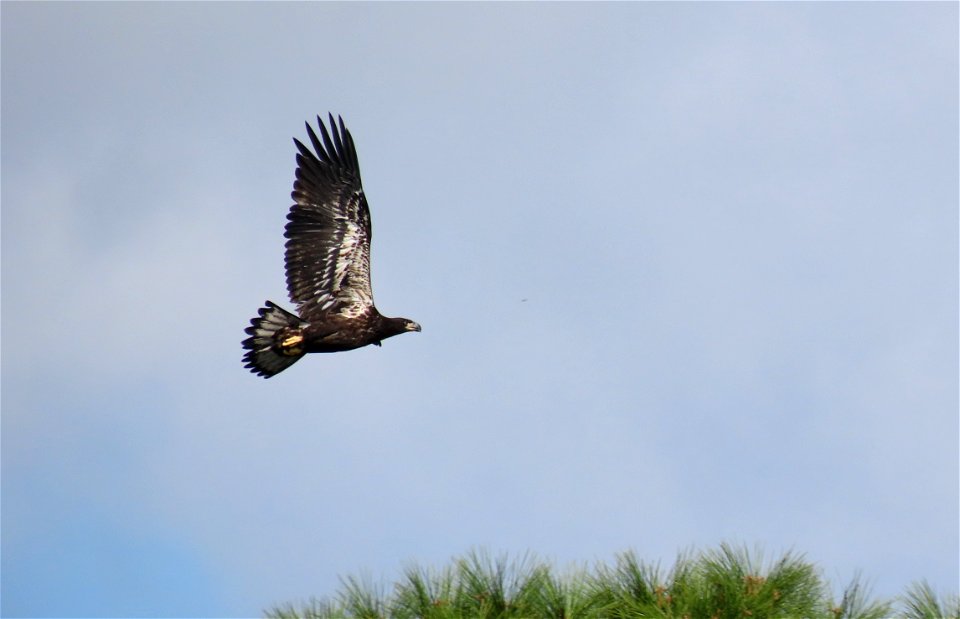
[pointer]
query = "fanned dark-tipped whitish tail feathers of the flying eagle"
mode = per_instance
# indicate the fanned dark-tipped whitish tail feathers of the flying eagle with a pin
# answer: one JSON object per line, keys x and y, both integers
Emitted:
{"x": 267, "y": 349}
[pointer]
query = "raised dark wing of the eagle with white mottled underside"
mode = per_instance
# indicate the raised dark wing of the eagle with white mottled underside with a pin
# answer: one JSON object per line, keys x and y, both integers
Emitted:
{"x": 328, "y": 232}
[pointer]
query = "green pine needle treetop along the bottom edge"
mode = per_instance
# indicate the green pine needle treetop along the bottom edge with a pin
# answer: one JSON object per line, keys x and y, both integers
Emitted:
{"x": 728, "y": 582}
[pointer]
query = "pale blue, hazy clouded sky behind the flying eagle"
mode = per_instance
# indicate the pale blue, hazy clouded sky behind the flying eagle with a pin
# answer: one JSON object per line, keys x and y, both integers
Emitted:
{"x": 687, "y": 273}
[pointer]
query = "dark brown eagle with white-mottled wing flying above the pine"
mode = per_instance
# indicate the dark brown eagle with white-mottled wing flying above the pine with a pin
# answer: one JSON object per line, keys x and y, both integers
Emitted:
{"x": 327, "y": 262}
